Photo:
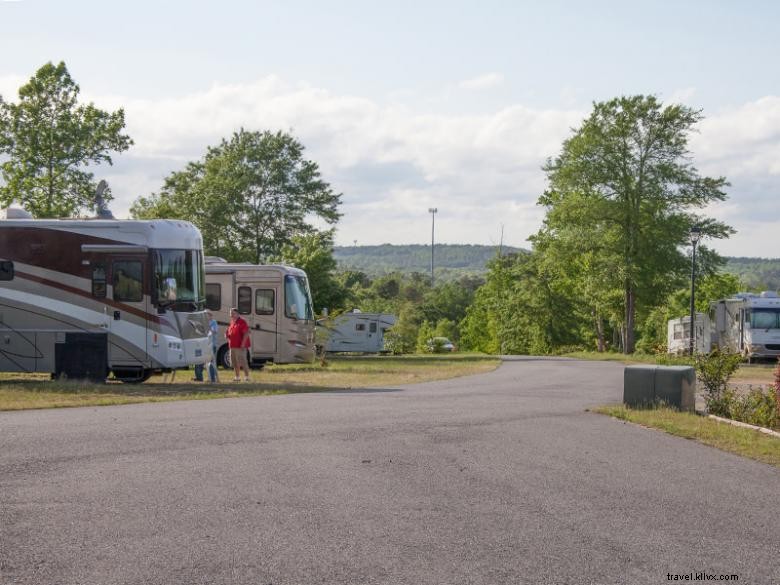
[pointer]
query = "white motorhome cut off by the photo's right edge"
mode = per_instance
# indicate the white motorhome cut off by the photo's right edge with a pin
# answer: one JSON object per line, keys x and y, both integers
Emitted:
{"x": 748, "y": 324}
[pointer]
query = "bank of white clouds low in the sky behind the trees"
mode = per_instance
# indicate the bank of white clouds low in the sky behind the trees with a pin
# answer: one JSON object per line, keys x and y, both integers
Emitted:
{"x": 393, "y": 163}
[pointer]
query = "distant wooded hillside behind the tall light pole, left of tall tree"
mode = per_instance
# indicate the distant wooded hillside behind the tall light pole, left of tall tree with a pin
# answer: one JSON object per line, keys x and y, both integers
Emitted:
{"x": 451, "y": 260}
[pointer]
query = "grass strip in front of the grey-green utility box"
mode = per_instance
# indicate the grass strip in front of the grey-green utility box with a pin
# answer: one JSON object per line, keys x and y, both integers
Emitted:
{"x": 744, "y": 442}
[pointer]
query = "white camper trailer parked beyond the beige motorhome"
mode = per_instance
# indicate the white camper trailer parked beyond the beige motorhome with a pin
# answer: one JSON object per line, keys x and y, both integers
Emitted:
{"x": 358, "y": 332}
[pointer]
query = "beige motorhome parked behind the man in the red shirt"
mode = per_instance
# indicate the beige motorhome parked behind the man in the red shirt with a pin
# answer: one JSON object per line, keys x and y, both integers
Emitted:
{"x": 274, "y": 299}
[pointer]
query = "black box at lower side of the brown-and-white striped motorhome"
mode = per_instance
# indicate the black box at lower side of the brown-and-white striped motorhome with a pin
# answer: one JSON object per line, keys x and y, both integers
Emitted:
{"x": 82, "y": 356}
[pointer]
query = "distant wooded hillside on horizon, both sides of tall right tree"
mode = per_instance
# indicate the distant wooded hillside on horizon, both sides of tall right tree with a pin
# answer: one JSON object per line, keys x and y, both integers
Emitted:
{"x": 454, "y": 260}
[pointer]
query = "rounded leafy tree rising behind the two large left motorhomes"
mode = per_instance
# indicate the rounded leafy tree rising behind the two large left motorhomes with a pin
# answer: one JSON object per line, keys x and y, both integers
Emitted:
{"x": 250, "y": 196}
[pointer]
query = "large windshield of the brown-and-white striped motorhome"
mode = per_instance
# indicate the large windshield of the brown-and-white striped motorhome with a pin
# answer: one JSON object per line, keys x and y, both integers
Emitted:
{"x": 180, "y": 277}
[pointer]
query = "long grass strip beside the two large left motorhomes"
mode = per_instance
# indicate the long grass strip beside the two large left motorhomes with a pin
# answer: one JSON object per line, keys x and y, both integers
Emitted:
{"x": 30, "y": 391}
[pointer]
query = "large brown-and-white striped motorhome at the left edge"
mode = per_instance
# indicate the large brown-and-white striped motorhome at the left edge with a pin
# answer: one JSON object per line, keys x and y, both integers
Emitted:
{"x": 82, "y": 298}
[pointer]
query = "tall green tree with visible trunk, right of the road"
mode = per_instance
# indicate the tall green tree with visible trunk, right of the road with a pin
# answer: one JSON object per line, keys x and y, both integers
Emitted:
{"x": 624, "y": 183}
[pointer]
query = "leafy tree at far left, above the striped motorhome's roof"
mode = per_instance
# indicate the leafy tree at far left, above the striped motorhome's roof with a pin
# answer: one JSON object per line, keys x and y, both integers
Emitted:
{"x": 50, "y": 140}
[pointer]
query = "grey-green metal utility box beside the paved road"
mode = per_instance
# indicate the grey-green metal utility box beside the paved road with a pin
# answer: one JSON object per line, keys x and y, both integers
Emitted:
{"x": 673, "y": 385}
